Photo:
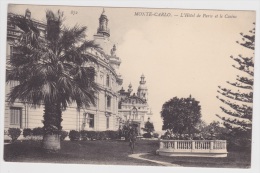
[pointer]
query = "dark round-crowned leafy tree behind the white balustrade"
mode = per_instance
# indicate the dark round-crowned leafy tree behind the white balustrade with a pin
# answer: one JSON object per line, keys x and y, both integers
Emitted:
{"x": 181, "y": 114}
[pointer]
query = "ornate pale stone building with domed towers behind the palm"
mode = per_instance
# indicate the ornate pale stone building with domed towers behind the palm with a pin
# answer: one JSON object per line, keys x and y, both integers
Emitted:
{"x": 114, "y": 106}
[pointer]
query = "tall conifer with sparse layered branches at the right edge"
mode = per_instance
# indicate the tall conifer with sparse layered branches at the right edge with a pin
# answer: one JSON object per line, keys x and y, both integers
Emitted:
{"x": 238, "y": 104}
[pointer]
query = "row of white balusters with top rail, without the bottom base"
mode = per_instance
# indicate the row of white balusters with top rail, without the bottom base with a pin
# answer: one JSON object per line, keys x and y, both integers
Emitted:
{"x": 193, "y": 146}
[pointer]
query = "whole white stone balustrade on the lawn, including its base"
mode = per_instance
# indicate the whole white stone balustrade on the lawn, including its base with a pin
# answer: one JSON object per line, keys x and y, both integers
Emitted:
{"x": 199, "y": 148}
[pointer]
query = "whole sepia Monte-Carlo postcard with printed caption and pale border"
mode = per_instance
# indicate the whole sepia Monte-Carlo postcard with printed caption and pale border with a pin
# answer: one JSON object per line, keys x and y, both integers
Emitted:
{"x": 128, "y": 86}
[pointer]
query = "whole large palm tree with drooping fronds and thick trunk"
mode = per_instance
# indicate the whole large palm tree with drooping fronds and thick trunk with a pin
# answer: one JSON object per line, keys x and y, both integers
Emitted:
{"x": 52, "y": 71}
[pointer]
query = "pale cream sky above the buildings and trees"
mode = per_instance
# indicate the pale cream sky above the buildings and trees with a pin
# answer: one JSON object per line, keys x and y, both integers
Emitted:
{"x": 179, "y": 56}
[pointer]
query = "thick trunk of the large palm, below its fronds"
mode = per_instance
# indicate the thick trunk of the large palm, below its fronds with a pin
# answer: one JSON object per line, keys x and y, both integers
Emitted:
{"x": 52, "y": 126}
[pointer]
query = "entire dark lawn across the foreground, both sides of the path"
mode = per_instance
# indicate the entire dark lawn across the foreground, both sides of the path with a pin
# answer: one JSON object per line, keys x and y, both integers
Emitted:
{"x": 113, "y": 153}
